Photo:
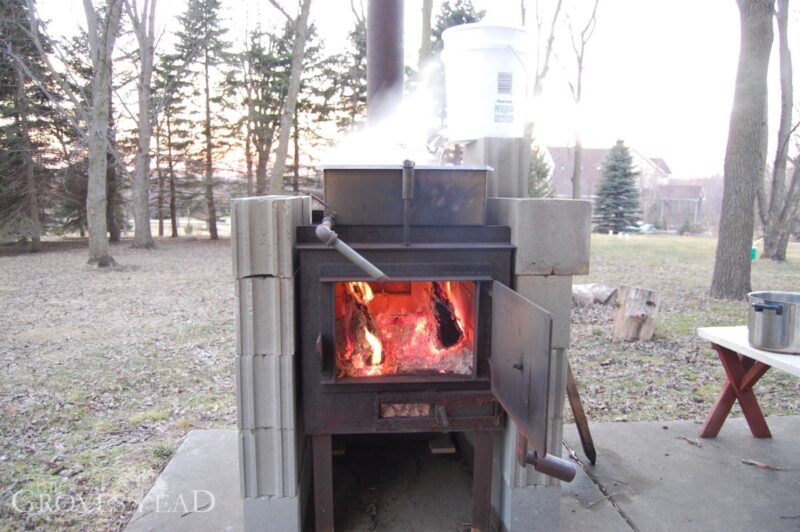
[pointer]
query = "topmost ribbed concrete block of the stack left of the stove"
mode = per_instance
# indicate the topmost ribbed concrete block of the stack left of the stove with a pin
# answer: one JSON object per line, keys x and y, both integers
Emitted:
{"x": 263, "y": 234}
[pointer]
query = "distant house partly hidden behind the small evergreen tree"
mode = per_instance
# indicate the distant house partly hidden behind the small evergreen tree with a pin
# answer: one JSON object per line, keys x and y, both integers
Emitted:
{"x": 666, "y": 202}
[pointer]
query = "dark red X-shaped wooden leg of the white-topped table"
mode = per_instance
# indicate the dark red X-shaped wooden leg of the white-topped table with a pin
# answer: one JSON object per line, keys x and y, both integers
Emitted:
{"x": 742, "y": 374}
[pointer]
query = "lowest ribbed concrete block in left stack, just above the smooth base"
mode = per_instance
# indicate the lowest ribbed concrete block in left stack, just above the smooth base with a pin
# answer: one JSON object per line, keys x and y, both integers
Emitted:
{"x": 269, "y": 462}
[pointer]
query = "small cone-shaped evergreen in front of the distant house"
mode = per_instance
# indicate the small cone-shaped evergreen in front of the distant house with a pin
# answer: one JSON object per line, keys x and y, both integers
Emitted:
{"x": 616, "y": 205}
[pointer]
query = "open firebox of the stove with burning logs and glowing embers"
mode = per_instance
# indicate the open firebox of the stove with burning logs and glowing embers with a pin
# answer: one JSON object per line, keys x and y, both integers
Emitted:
{"x": 405, "y": 328}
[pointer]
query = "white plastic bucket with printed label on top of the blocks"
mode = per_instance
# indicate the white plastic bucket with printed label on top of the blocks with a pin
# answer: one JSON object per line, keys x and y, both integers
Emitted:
{"x": 486, "y": 77}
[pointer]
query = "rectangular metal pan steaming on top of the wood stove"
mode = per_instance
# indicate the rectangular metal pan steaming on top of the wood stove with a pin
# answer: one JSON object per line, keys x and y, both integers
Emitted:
{"x": 373, "y": 195}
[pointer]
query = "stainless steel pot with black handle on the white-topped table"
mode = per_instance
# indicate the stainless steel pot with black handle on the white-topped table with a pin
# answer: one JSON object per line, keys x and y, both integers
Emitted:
{"x": 772, "y": 321}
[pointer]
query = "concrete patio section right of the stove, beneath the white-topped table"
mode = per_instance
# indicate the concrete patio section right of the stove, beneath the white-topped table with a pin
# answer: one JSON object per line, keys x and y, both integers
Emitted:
{"x": 662, "y": 477}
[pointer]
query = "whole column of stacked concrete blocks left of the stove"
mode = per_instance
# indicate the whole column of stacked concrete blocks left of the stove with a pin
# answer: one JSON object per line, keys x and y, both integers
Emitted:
{"x": 274, "y": 462}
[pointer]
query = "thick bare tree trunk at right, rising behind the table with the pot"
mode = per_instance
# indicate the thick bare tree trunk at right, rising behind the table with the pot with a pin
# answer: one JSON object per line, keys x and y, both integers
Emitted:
{"x": 745, "y": 155}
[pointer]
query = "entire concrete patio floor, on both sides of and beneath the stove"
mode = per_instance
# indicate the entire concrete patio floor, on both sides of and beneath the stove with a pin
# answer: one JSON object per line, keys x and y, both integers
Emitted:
{"x": 647, "y": 478}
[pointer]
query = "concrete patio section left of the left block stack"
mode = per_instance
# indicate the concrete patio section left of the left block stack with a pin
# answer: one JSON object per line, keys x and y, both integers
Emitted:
{"x": 198, "y": 490}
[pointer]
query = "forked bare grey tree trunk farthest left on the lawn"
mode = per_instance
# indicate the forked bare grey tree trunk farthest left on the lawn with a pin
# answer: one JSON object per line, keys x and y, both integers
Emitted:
{"x": 101, "y": 46}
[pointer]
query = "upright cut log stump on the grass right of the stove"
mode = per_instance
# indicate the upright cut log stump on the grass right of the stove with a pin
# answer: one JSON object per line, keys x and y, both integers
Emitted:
{"x": 635, "y": 313}
